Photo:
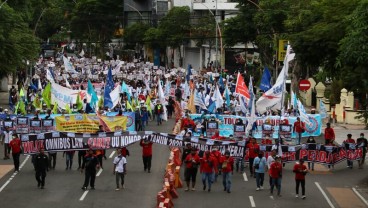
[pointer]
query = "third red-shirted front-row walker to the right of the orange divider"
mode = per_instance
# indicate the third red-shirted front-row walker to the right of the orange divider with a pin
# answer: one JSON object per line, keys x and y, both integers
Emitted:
{"x": 227, "y": 165}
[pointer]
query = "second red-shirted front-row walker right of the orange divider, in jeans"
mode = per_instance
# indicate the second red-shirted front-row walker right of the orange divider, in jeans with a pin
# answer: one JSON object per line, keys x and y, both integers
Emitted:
{"x": 207, "y": 168}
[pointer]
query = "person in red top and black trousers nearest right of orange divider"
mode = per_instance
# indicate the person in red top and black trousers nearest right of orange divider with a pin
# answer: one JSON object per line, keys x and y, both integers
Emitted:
{"x": 191, "y": 168}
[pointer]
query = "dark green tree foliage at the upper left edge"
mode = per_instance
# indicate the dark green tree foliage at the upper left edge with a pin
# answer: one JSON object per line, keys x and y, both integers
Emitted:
{"x": 17, "y": 42}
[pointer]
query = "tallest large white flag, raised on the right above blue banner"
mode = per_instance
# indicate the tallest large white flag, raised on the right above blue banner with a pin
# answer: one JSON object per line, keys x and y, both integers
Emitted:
{"x": 273, "y": 98}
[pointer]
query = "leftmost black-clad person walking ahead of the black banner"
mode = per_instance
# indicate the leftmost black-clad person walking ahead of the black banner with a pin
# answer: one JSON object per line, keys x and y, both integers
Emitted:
{"x": 41, "y": 166}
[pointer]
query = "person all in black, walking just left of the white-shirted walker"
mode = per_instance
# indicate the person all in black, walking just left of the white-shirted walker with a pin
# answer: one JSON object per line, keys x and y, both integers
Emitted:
{"x": 90, "y": 164}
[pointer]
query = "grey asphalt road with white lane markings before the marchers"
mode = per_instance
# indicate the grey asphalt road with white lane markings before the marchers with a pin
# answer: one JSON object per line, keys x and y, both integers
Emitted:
{"x": 324, "y": 188}
